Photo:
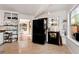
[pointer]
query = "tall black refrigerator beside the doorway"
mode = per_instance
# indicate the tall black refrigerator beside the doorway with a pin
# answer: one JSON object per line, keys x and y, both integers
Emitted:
{"x": 39, "y": 31}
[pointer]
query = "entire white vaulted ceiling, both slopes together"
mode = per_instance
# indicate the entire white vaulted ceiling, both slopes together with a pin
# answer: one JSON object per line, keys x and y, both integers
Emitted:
{"x": 35, "y": 9}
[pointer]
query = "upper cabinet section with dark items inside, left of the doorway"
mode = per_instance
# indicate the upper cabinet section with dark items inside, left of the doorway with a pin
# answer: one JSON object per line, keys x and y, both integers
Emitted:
{"x": 10, "y": 18}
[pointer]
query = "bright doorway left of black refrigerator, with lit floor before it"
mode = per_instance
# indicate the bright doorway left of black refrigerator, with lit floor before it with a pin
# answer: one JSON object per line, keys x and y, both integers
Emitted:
{"x": 24, "y": 32}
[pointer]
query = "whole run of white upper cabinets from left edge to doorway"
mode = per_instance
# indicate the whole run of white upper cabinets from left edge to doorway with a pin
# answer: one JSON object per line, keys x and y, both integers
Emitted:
{"x": 8, "y": 16}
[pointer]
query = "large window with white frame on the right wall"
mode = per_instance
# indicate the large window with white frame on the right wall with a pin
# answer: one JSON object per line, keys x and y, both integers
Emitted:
{"x": 74, "y": 23}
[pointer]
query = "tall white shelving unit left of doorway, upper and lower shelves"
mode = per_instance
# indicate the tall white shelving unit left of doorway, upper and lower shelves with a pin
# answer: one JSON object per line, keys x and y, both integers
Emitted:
{"x": 11, "y": 26}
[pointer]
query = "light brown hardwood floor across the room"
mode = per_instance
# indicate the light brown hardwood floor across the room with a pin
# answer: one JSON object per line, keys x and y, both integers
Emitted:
{"x": 31, "y": 48}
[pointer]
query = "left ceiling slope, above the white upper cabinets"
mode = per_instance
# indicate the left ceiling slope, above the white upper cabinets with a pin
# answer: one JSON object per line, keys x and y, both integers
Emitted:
{"x": 22, "y": 8}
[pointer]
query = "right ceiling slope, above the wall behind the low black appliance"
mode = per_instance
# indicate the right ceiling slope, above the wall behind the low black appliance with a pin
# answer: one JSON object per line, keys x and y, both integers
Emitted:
{"x": 60, "y": 7}
